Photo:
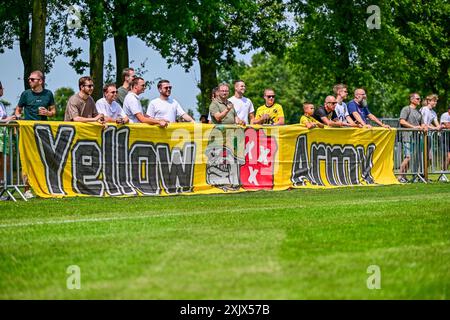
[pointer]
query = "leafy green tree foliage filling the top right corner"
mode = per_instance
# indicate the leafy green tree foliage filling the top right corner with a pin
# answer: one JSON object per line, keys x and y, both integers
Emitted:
{"x": 422, "y": 30}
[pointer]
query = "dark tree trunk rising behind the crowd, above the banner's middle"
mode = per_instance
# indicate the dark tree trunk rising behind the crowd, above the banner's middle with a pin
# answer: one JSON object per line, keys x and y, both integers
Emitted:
{"x": 208, "y": 73}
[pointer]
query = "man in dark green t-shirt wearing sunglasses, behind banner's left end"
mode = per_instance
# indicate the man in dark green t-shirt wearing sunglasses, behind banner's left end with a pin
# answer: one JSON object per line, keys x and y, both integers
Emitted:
{"x": 36, "y": 103}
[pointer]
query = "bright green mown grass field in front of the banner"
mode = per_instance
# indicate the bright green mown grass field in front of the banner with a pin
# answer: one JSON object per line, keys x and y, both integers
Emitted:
{"x": 298, "y": 244}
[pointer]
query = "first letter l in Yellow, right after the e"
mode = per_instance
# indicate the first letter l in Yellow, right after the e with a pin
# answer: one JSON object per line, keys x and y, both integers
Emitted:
{"x": 109, "y": 161}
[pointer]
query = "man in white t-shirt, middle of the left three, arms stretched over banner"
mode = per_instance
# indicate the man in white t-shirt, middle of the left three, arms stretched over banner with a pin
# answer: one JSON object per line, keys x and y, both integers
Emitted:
{"x": 133, "y": 108}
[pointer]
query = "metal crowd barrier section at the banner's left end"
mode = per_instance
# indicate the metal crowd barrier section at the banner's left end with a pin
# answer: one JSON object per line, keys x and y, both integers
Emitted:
{"x": 11, "y": 179}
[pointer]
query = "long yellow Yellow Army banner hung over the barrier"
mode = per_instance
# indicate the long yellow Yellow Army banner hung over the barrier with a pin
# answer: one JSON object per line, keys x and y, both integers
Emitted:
{"x": 83, "y": 159}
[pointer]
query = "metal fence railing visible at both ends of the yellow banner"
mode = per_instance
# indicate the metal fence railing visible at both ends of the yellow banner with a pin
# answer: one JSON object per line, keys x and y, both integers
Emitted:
{"x": 417, "y": 155}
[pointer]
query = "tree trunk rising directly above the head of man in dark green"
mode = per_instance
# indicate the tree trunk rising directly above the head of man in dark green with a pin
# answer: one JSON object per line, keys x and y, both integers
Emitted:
{"x": 38, "y": 35}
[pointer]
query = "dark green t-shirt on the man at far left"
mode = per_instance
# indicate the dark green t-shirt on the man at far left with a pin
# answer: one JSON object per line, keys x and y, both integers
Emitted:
{"x": 31, "y": 101}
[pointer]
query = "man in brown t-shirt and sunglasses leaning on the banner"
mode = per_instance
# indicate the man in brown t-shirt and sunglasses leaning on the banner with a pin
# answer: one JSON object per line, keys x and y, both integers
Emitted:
{"x": 81, "y": 106}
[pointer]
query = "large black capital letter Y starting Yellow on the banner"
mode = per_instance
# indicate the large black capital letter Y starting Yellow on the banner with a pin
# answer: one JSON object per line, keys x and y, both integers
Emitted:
{"x": 54, "y": 153}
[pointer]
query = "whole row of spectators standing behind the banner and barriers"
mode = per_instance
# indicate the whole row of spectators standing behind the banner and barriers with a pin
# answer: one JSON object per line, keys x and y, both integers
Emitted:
{"x": 123, "y": 105}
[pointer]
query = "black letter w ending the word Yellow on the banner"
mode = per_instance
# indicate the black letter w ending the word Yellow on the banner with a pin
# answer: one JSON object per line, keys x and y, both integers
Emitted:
{"x": 177, "y": 168}
